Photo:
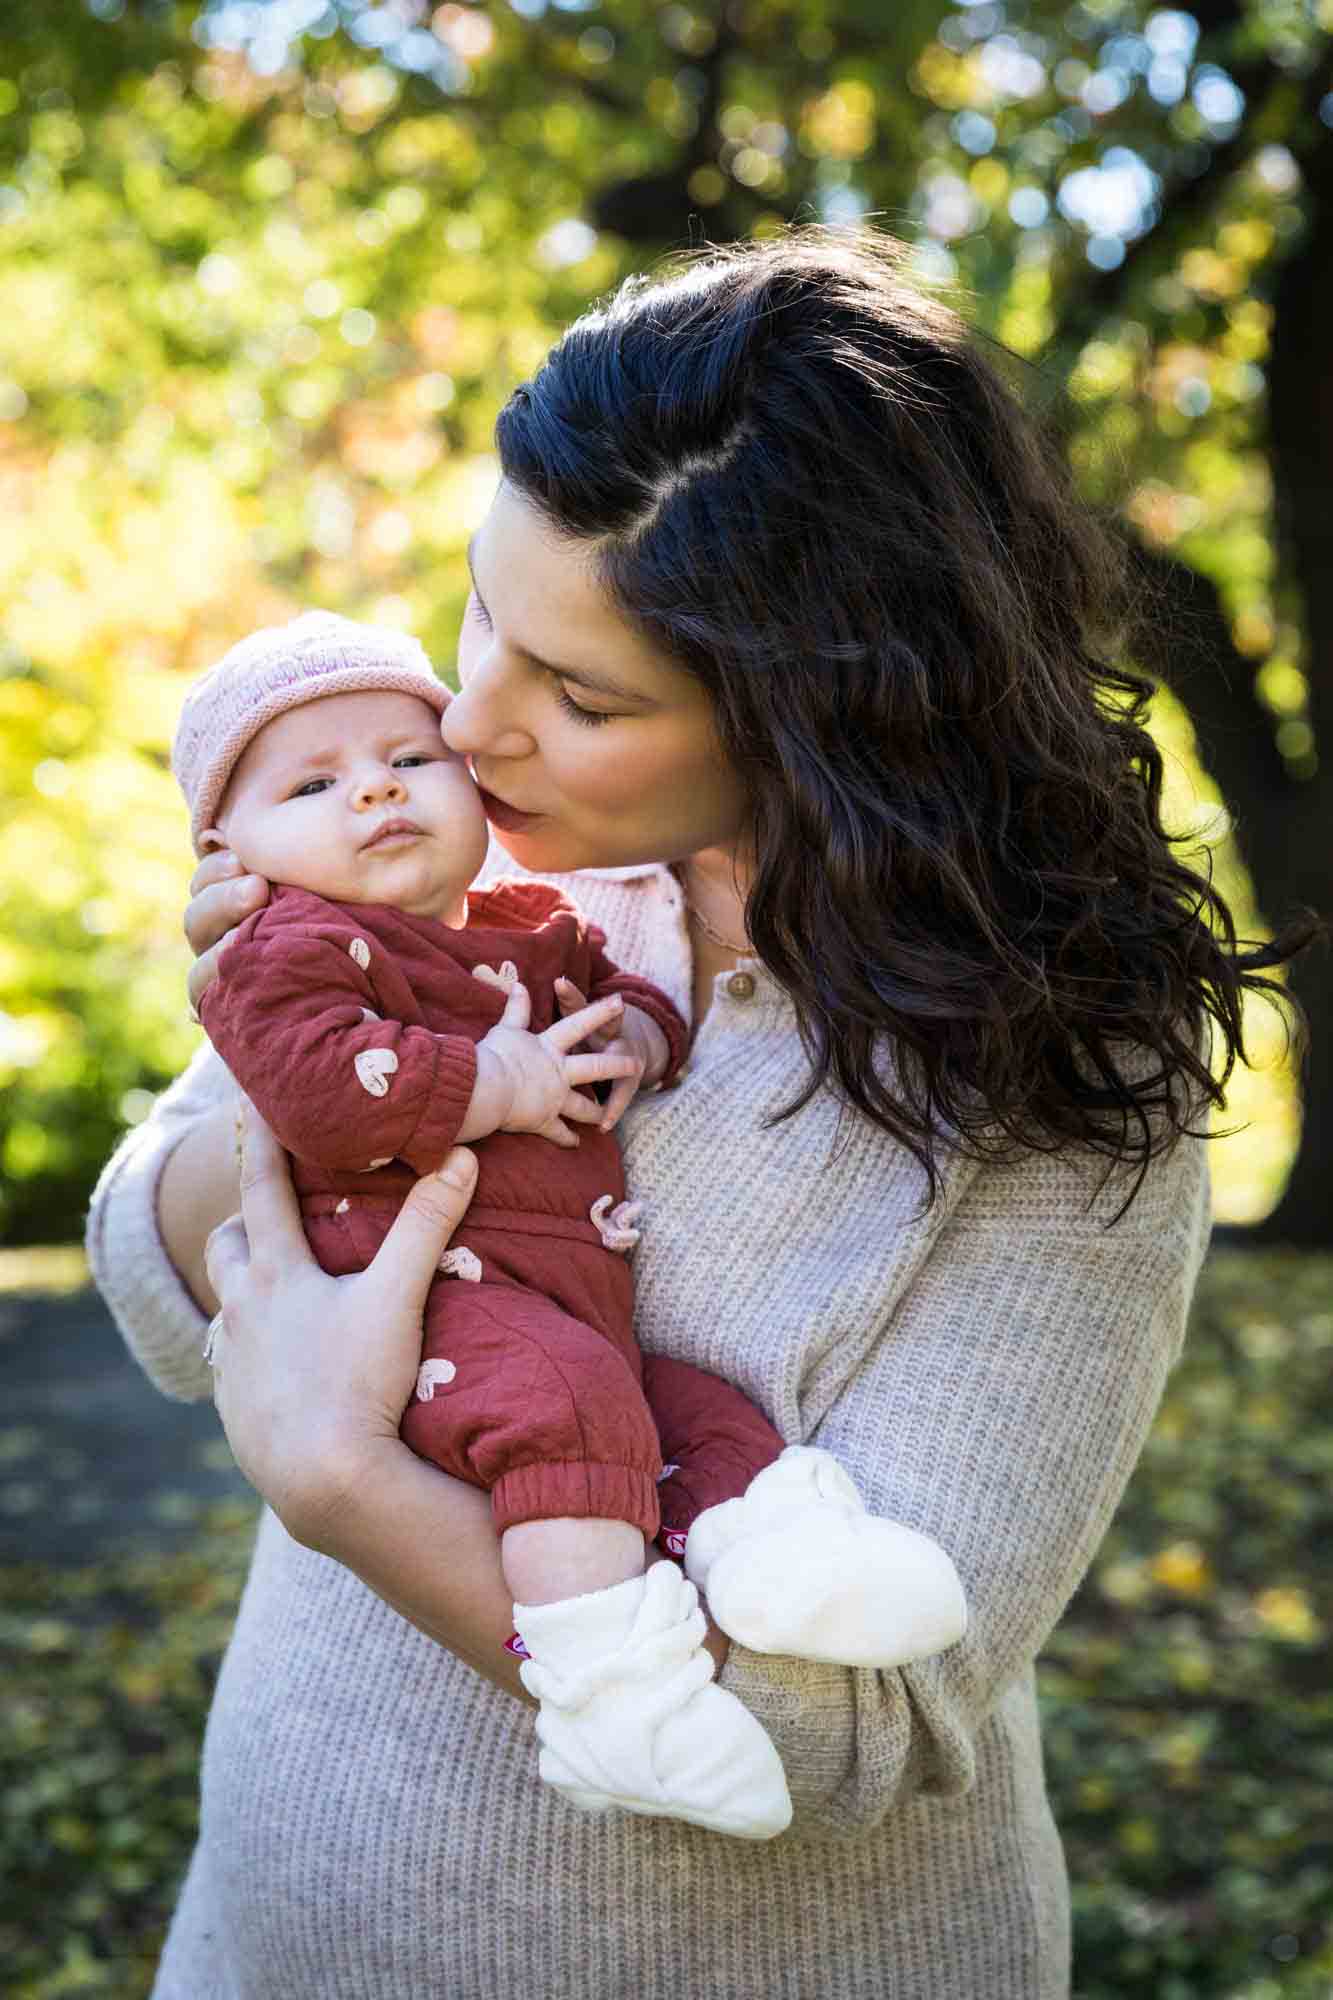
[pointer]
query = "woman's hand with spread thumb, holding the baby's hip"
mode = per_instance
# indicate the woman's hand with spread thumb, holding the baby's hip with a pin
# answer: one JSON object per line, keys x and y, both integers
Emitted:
{"x": 313, "y": 1373}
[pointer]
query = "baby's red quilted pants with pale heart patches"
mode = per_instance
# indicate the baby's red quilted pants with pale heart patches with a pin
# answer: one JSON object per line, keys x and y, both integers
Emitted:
{"x": 543, "y": 1395}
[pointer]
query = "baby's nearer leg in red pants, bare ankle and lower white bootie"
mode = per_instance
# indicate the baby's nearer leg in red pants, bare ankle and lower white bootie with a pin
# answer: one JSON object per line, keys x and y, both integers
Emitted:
{"x": 547, "y": 1413}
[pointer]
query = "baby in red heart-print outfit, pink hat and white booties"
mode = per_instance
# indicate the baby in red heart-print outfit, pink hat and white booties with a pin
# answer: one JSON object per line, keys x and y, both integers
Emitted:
{"x": 377, "y": 1013}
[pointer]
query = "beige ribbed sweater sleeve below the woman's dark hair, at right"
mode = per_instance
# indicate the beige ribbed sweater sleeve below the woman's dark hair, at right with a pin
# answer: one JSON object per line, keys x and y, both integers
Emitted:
{"x": 1002, "y": 1413}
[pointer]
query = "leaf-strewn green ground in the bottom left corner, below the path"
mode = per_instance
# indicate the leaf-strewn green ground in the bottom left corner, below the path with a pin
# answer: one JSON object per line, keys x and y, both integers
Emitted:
{"x": 109, "y": 1673}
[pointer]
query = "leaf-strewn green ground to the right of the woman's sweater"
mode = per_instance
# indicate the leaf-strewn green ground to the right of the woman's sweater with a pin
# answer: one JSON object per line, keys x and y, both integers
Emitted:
{"x": 1190, "y": 1695}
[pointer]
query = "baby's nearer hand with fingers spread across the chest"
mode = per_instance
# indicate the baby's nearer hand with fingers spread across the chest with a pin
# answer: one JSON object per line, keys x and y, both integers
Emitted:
{"x": 529, "y": 1083}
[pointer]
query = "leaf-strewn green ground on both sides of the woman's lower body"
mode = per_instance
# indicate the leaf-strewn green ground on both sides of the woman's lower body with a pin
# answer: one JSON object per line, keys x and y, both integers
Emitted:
{"x": 1186, "y": 1699}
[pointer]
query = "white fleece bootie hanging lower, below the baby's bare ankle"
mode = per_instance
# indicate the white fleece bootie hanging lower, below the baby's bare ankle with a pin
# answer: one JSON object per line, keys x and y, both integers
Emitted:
{"x": 631, "y": 1715}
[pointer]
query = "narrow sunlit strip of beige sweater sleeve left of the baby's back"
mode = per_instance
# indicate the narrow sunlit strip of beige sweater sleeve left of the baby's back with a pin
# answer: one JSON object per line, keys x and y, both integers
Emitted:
{"x": 143, "y": 1289}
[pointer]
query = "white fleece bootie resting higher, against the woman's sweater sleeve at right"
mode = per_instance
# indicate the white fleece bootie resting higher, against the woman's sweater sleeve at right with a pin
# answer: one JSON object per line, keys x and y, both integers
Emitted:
{"x": 798, "y": 1567}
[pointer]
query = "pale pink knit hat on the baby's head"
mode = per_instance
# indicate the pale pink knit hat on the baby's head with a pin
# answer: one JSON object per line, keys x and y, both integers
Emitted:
{"x": 279, "y": 669}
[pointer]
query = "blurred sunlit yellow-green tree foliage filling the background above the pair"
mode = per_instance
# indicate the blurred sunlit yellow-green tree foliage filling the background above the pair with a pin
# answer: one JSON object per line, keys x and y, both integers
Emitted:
{"x": 271, "y": 265}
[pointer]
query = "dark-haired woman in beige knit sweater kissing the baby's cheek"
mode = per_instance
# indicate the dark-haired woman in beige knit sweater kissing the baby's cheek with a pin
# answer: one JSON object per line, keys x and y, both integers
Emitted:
{"x": 778, "y": 589}
